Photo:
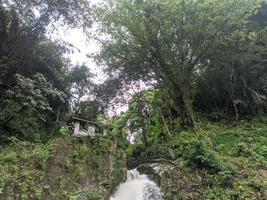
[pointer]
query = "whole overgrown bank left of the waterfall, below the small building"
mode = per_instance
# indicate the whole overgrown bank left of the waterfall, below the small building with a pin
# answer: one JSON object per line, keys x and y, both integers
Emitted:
{"x": 70, "y": 168}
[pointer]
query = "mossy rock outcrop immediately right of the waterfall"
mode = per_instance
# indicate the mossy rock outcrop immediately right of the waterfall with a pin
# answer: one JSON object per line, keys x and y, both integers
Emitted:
{"x": 175, "y": 180}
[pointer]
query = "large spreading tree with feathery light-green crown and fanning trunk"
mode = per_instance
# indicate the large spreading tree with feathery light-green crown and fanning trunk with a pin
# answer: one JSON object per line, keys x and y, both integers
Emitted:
{"x": 169, "y": 41}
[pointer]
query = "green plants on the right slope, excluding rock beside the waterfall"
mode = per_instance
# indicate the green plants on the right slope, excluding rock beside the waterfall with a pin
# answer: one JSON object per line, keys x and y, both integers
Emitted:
{"x": 230, "y": 158}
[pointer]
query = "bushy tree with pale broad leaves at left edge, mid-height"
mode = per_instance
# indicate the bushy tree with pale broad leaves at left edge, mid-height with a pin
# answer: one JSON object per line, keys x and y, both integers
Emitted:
{"x": 28, "y": 107}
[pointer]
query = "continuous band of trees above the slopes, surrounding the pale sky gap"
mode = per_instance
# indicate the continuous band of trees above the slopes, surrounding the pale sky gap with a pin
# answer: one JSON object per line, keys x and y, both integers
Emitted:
{"x": 191, "y": 57}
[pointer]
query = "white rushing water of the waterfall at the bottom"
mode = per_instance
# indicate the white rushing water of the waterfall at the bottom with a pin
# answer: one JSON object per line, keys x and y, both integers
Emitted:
{"x": 137, "y": 187}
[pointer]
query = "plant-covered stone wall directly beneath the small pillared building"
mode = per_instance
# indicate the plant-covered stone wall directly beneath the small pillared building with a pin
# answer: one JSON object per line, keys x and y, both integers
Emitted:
{"x": 78, "y": 168}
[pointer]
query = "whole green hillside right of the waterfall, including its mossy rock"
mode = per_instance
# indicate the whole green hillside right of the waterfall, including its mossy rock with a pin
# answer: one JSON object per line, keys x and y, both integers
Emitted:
{"x": 218, "y": 161}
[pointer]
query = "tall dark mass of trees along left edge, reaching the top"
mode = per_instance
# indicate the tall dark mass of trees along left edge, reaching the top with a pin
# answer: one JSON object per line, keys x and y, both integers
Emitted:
{"x": 33, "y": 79}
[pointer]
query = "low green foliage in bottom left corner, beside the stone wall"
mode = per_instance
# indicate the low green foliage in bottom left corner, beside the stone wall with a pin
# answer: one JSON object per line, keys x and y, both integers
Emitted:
{"x": 22, "y": 164}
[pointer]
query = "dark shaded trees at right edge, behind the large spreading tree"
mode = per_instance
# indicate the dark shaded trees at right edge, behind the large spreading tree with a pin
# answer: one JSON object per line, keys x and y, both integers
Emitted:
{"x": 235, "y": 83}
